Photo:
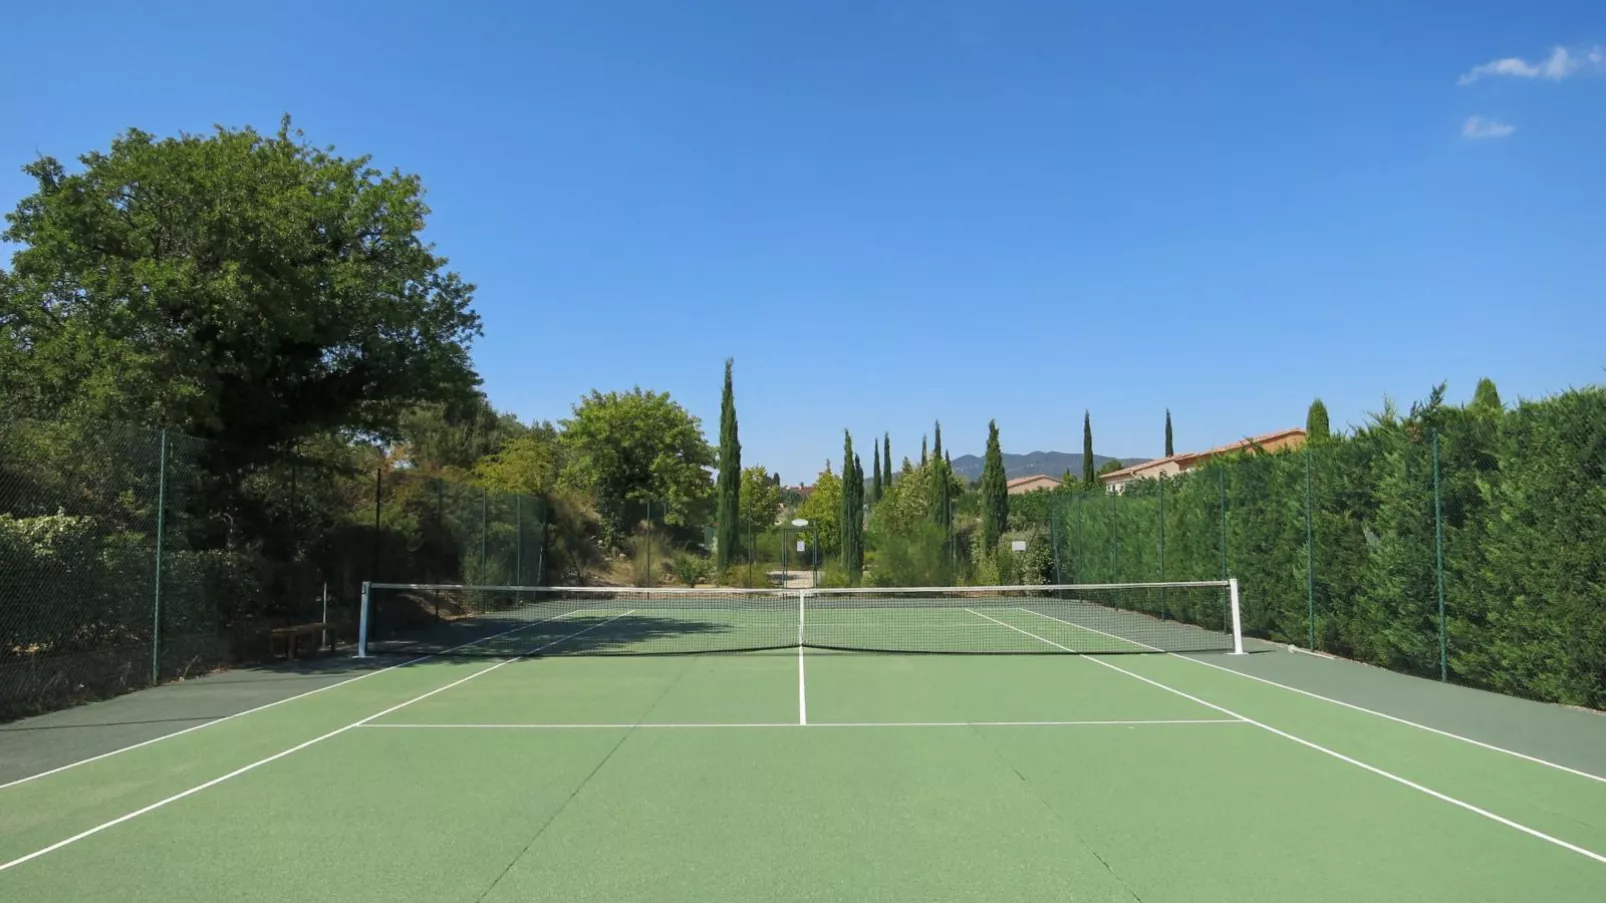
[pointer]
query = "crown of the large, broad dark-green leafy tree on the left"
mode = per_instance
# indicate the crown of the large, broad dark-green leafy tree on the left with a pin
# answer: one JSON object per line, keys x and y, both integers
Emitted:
{"x": 243, "y": 288}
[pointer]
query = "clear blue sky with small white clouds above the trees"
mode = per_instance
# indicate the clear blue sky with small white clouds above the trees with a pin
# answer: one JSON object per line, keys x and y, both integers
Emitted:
{"x": 897, "y": 211}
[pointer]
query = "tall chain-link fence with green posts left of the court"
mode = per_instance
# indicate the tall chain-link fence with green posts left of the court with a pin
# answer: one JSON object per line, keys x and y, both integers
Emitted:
{"x": 128, "y": 558}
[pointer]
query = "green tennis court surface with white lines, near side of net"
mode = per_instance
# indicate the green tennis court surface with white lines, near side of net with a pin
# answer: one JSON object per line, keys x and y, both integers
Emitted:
{"x": 810, "y": 775}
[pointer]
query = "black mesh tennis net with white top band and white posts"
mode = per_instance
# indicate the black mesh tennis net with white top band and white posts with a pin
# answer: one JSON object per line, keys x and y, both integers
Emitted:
{"x": 422, "y": 619}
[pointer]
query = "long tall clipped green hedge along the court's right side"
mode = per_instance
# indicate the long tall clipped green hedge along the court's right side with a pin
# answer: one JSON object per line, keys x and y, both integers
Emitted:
{"x": 1523, "y": 520}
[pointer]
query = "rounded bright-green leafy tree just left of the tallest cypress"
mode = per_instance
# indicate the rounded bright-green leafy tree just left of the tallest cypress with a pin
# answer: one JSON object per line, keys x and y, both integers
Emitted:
{"x": 638, "y": 449}
